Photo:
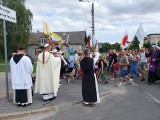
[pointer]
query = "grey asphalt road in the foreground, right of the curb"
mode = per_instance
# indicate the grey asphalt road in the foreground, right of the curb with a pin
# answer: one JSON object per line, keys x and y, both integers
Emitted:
{"x": 138, "y": 102}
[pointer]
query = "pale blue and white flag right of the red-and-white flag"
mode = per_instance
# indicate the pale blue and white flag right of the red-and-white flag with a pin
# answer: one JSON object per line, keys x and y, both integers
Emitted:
{"x": 140, "y": 35}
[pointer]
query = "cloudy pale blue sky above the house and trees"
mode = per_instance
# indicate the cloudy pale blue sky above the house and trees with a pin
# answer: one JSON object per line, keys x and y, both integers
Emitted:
{"x": 112, "y": 17}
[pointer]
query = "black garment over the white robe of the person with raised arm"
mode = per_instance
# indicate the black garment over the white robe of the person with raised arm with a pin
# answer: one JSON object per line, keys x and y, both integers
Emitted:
{"x": 89, "y": 89}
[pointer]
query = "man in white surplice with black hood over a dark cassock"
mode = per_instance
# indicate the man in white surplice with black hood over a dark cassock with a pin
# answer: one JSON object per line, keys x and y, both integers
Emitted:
{"x": 21, "y": 70}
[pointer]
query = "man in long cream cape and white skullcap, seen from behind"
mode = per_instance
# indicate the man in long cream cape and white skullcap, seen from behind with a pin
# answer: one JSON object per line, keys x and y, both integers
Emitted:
{"x": 47, "y": 74}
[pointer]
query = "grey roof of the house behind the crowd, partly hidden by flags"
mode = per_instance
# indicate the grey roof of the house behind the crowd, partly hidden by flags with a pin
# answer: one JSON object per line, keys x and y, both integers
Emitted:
{"x": 75, "y": 37}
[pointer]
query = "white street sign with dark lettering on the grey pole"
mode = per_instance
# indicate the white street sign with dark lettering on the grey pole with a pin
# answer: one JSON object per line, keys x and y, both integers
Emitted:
{"x": 8, "y": 14}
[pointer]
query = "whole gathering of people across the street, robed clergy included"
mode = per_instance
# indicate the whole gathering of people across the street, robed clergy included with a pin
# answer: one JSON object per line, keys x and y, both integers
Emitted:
{"x": 92, "y": 67}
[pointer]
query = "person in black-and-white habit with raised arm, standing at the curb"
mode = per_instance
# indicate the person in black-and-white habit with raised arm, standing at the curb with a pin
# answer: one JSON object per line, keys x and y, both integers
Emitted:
{"x": 90, "y": 92}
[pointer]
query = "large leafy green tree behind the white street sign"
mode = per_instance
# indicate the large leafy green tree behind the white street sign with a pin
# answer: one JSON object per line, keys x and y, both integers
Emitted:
{"x": 17, "y": 34}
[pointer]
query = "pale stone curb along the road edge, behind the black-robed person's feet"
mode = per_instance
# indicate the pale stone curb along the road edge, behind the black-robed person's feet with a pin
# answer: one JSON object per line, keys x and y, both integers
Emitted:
{"x": 47, "y": 109}
